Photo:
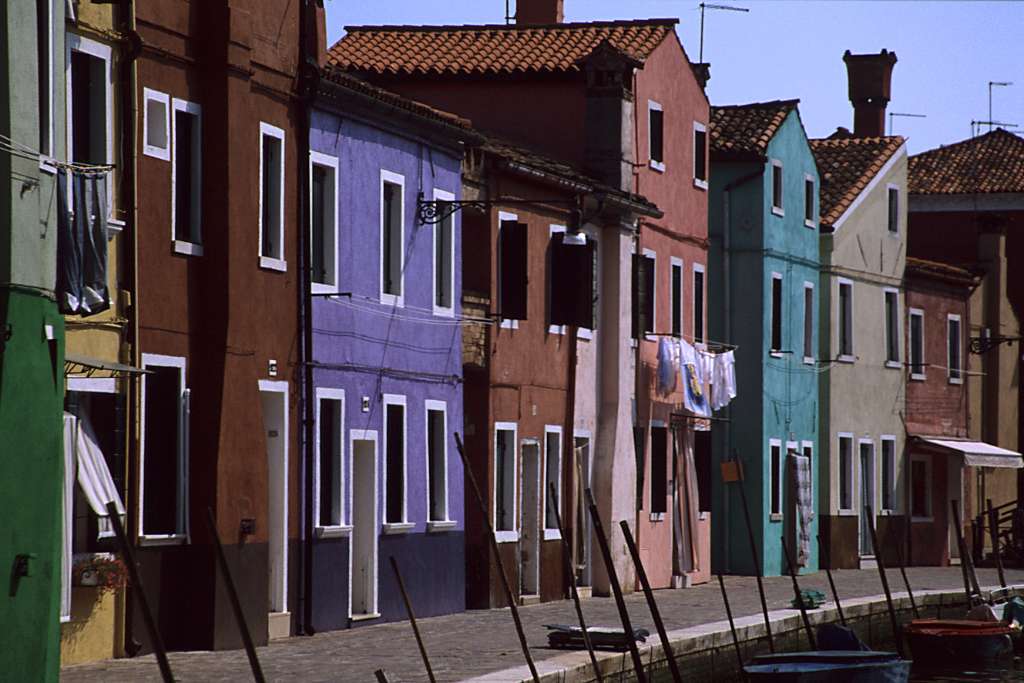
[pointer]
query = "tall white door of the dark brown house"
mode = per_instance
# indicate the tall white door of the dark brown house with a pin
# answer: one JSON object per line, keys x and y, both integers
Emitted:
{"x": 274, "y": 399}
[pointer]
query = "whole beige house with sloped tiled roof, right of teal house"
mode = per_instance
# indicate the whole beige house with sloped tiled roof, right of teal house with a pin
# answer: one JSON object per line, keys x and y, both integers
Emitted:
{"x": 862, "y": 366}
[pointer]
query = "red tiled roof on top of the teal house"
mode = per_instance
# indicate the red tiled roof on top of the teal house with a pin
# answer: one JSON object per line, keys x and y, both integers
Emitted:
{"x": 745, "y": 131}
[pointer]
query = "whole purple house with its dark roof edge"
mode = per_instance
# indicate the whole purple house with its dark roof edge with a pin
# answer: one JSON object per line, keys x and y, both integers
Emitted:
{"x": 387, "y": 358}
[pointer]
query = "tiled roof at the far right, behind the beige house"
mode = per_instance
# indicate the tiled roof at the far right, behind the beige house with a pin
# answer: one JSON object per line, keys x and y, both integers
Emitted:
{"x": 988, "y": 164}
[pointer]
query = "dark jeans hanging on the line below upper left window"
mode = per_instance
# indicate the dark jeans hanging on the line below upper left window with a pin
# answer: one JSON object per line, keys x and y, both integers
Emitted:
{"x": 82, "y": 243}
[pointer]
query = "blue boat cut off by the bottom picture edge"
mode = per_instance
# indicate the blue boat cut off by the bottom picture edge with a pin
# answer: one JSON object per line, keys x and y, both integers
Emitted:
{"x": 830, "y": 667}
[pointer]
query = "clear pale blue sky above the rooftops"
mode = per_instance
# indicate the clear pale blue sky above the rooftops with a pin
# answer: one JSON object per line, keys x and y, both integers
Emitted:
{"x": 948, "y": 53}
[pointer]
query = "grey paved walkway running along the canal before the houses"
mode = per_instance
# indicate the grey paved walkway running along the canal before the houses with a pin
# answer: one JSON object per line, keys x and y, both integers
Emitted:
{"x": 474, "y": 644}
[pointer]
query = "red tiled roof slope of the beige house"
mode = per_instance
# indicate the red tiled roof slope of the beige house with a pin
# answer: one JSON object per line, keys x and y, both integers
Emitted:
{"x": 846, "y": 165}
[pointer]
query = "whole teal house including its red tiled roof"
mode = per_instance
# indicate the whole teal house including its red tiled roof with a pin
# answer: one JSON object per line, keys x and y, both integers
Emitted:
{"x": 763, "y": 298}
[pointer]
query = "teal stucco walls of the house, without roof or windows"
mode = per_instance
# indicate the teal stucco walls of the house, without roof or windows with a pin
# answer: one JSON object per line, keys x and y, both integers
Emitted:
{"x": 778, "y": 395}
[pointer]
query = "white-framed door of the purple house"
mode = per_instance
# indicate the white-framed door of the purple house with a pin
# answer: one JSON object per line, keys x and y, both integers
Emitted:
{"x": 364, "y": 589}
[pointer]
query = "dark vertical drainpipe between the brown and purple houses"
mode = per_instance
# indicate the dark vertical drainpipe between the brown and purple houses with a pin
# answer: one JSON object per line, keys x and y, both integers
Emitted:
{"x": 309, "y": 73}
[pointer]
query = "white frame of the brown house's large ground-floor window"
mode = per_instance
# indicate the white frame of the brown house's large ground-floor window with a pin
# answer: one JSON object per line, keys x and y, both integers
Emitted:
{"x": 182, "y": 536}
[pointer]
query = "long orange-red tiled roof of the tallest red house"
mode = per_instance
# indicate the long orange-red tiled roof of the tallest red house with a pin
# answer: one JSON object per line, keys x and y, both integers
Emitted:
{"x": 491, "y": 49}
